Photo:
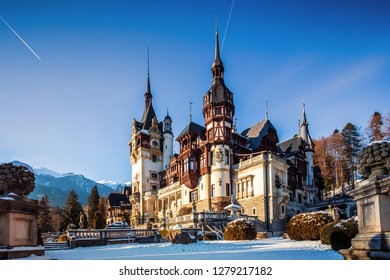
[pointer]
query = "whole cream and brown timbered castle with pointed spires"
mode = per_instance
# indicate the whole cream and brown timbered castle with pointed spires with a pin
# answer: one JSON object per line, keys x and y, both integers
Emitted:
{"x": 218, "y": 168}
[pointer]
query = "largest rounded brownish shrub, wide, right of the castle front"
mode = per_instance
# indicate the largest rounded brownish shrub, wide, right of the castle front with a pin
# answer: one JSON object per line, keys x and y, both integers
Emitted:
{"x": 307, "y": 226}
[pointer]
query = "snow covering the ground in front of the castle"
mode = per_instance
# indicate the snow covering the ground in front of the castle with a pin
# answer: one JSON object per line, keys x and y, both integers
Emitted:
{"x": 265, "y": 249}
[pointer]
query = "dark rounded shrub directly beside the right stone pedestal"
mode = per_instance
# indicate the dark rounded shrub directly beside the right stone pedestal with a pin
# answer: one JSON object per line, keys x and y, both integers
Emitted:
{"x": 339, "y": 234}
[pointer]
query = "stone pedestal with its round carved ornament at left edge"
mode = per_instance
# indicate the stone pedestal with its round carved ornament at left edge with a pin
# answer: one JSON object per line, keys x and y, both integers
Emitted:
{"x": 18, "y": 214}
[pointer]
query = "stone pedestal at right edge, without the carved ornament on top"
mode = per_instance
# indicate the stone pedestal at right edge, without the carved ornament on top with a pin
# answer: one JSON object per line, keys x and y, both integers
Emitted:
{"x": 373, "y": 205}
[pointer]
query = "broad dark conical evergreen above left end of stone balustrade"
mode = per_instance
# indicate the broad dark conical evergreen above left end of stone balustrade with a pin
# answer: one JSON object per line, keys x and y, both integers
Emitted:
{"x": 71, "y": 211}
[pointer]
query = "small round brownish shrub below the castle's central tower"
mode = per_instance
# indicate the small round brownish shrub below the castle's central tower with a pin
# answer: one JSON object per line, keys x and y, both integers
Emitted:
{"x": 240, "y": 229}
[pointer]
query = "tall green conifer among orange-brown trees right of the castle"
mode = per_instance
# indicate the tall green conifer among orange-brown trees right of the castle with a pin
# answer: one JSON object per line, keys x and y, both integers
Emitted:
{"x": 351, "y": 145}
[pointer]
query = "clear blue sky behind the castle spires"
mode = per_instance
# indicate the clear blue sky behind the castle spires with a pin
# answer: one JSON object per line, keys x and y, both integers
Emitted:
{"x": 71, "y": 111}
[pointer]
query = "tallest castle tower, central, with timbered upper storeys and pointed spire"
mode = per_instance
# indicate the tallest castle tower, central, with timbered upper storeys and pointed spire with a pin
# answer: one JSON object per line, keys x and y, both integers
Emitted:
{"x": 218, "y": 112}
